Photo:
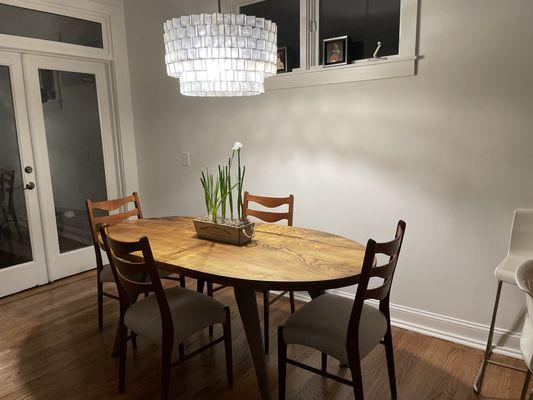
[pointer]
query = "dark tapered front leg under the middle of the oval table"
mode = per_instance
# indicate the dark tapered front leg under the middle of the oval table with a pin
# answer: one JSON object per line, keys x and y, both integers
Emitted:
{"x": 247, "y": 304}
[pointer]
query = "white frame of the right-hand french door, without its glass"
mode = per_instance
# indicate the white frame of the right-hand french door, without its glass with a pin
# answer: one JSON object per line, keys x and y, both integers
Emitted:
{"x": 64, "y": 264}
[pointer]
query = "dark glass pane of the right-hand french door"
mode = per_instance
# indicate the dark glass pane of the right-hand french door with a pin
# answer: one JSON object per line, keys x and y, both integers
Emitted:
{"x": 72, "y": 123}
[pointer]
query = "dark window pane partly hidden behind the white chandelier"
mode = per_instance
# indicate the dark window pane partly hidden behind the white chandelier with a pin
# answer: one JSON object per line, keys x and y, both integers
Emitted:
{"x": 285, "y": 13}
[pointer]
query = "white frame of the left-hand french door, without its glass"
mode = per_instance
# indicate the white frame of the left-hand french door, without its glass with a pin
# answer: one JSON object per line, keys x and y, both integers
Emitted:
{"x": 33, "y": 273}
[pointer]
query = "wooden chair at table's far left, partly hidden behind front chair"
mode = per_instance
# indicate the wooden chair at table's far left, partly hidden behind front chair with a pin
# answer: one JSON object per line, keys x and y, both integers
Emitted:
{"x": 99, "y": 213}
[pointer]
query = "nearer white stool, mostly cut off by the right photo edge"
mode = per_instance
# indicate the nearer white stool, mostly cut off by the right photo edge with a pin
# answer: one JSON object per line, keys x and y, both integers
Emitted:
{"x": 524, "y": 279}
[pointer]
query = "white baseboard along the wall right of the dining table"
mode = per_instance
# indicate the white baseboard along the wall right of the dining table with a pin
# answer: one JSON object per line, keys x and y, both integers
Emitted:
{"x": 455, "y": 330}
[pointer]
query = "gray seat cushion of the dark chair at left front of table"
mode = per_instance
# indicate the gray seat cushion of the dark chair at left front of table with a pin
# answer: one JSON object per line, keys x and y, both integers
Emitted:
{"x": 191, "y": 311}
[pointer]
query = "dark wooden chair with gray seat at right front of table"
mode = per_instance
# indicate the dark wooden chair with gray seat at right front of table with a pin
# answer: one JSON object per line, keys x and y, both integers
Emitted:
{"x": 347, "y": 329}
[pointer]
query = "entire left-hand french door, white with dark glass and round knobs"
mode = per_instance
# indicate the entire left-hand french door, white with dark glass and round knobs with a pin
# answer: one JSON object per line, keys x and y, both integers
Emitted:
{"x": 22, "y": 261}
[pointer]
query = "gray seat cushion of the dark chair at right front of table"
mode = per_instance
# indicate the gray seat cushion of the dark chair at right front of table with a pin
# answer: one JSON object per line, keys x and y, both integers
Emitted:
{"x": 323, "y": 325}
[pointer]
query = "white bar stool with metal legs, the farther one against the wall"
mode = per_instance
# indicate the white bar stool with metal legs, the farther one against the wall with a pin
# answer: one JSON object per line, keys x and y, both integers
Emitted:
{"x": 520, "y": 250}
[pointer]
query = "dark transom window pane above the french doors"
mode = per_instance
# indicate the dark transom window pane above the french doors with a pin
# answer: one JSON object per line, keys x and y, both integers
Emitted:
{"x": 18, "y": 21}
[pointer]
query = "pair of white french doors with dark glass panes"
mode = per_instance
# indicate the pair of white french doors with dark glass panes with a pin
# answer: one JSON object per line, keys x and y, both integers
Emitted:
{"x": 62, "y": 128}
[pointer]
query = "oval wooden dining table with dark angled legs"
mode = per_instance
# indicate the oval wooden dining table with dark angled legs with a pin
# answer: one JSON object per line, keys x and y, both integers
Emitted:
{"x": 278, "y": 258}
